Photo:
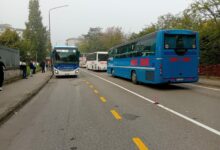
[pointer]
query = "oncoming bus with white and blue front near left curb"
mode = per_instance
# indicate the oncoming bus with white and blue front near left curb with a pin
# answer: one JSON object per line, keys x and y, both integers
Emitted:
{"x": 65, "y": 61}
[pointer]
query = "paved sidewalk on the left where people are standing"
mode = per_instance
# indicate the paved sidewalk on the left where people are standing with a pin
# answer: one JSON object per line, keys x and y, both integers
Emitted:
{"x": 16, "y": 94}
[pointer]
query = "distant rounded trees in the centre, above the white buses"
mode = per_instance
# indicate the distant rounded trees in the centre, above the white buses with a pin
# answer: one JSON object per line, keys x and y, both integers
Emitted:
{"x": 97, "y": 40}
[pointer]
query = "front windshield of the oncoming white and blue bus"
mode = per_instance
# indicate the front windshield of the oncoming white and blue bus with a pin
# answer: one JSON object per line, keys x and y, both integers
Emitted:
{"x": 66, "y": 56}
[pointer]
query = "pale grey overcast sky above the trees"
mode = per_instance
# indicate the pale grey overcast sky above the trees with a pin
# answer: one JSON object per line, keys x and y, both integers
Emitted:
{"x": 75, "y": 20}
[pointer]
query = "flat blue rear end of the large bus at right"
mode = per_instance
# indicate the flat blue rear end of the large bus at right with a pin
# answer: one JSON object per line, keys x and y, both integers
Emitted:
{"x": 180, "y": 57}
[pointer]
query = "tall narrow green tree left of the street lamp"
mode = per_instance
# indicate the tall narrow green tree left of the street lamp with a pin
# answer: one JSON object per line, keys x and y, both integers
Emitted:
{"x": 35, "y": 31}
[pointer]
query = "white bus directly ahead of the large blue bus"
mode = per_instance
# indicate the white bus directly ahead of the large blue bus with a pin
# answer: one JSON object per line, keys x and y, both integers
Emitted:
{"x": 97, "y": 61}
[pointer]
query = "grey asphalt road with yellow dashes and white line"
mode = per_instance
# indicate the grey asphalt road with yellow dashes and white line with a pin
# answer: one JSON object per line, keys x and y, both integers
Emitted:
{"x": 98, "y": 112}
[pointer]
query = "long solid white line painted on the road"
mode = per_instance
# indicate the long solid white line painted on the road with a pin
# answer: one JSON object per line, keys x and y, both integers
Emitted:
{"x": 161, "y": 106}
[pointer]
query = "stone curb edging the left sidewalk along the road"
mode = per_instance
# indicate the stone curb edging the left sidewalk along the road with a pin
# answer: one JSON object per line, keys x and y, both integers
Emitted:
{"x": 11, "y": 111}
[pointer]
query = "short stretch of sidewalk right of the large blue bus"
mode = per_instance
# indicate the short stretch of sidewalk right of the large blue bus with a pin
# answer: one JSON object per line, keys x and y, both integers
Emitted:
{"x": 214, "y": 82}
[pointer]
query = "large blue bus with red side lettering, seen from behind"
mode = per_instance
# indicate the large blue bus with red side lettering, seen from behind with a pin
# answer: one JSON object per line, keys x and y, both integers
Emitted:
{"x": 165, "y": 56}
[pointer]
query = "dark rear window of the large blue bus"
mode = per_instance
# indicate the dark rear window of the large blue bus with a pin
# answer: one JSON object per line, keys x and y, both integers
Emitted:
{"x": 179, "y": 41}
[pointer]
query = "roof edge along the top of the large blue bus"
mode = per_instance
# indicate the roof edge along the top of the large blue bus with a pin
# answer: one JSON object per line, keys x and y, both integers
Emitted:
{"x": 184, "y": 31}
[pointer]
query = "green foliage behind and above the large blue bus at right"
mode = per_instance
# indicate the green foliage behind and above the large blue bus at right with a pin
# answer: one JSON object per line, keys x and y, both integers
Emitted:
{"x": 202, "y": 16}
